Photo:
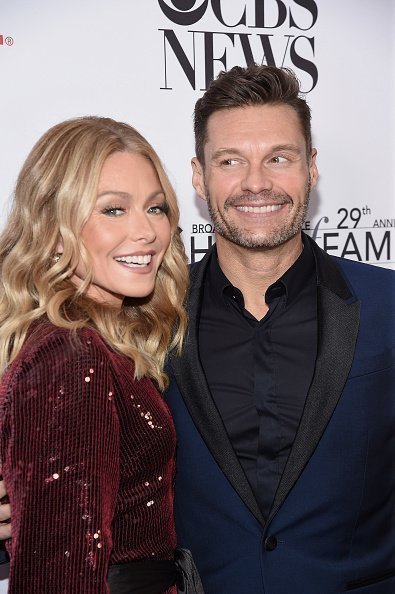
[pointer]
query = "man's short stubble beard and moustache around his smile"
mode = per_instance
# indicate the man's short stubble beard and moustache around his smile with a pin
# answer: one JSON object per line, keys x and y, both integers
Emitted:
{"x": 269, "y": 239}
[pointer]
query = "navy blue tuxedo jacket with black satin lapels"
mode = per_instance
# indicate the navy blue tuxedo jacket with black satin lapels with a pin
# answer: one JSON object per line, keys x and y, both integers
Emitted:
{"x": 331, "y": 528}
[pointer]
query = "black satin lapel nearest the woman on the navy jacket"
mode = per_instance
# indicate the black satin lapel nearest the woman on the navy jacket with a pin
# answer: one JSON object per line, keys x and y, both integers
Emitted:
{"x": 193, "y": 386}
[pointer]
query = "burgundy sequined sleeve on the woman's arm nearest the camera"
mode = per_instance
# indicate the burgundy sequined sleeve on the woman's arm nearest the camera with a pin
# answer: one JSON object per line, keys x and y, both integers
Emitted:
{"x": 60, "y": 457}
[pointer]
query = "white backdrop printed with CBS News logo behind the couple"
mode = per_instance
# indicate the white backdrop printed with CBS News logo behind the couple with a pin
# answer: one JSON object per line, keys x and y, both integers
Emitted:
{"x": 147, "y": 62}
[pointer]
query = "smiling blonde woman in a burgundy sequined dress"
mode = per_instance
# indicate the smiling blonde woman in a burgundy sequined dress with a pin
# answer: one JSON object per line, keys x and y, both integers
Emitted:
{"x": 93, "y": 278}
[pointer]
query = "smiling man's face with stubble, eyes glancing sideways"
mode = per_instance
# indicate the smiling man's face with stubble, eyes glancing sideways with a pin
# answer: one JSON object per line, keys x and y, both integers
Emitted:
{"x": 257, "y": 175}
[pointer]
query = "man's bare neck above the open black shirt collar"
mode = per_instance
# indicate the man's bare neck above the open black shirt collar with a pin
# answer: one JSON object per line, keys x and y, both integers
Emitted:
{"x": 253, "y": 270}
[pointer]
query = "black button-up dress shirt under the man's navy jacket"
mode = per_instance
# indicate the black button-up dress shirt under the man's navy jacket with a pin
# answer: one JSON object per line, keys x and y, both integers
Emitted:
{"x": 259, "y": 372}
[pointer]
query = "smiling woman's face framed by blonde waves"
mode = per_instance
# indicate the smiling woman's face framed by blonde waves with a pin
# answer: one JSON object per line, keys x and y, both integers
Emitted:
{"x": 128, "y": 232}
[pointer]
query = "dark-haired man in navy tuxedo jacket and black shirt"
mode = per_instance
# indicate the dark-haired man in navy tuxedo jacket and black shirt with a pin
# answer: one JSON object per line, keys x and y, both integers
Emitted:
{"x": 284, "y": 398}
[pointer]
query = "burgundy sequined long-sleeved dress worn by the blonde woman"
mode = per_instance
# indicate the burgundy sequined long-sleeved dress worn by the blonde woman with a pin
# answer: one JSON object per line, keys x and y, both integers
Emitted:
{"x": 88, "y": 456}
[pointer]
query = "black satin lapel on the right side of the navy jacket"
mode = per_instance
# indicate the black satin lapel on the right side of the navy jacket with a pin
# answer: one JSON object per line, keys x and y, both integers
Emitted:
{"x": 338, "y": 323}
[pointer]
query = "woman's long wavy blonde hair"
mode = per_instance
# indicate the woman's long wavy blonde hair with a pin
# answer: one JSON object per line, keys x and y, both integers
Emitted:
{"x": 54, "y": 196}
